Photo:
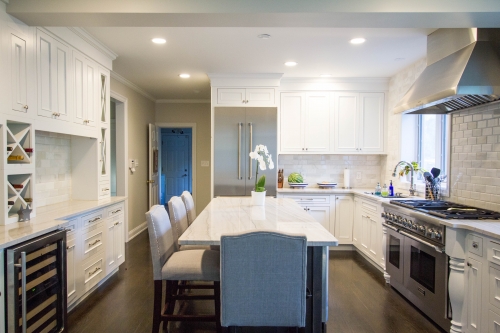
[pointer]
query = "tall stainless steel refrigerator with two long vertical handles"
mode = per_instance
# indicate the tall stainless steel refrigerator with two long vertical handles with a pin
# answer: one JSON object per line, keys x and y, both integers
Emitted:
{"x": 236, "y": 133}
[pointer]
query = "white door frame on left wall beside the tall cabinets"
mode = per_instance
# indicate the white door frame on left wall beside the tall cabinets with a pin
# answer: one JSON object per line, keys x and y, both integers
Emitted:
{"x": 122, "y": 153}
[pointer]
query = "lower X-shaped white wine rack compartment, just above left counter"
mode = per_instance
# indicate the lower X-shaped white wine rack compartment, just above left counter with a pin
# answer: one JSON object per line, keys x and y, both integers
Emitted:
{"x": 19, "y": 192}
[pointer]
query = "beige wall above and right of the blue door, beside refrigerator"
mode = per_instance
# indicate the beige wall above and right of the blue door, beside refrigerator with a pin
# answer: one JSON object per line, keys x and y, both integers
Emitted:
{"x": 198, "y": 113}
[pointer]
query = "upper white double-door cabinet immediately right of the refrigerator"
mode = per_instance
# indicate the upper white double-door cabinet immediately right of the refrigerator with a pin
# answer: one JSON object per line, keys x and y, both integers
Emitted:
{"x": 305, "y": 122}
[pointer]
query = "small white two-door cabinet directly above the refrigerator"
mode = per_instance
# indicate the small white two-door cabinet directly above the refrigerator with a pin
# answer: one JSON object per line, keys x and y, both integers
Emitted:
{"x": 245, "y": 97}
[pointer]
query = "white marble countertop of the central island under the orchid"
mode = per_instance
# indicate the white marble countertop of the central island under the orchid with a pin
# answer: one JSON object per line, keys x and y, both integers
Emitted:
{"x": 229, "y": 215}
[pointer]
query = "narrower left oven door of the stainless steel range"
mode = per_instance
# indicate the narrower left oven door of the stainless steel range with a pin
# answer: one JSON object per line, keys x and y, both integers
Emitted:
{"x": 394, "y": 255}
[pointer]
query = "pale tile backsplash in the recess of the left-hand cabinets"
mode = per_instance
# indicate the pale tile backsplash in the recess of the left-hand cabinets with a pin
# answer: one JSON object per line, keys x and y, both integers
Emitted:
{"x": 53, "y": 168}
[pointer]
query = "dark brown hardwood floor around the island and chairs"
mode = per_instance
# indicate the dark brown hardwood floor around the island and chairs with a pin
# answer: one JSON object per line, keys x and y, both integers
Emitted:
{"x": 360, "y": 301}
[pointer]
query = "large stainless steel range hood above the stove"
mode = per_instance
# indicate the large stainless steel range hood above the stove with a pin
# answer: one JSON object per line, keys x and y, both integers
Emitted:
{"x": 463, "y": 70}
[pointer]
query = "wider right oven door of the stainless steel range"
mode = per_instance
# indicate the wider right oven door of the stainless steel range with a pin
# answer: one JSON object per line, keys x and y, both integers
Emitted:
{"x": 425, "y": 275}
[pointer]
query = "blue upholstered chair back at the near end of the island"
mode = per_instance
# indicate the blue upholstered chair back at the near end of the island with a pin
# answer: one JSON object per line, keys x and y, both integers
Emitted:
{"x": 263, "y": 279}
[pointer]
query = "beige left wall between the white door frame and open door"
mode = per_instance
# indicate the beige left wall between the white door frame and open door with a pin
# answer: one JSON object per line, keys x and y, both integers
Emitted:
{"x": 141, "y": 112}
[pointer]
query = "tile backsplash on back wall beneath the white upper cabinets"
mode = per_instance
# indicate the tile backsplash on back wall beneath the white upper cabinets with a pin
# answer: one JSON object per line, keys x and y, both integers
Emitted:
{"x": 365, "y": 169}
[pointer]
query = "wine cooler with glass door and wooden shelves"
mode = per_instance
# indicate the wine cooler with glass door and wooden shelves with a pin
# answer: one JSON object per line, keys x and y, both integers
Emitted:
{"x": 36, "y": 285}
